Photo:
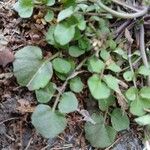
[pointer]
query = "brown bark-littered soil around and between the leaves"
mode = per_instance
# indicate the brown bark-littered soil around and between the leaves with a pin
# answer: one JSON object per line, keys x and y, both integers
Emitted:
{"x": 17, "y": 103}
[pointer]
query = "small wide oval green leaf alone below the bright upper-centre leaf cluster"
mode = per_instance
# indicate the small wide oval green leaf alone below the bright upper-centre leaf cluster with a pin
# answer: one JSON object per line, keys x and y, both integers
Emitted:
{"x": 75, "y": 51}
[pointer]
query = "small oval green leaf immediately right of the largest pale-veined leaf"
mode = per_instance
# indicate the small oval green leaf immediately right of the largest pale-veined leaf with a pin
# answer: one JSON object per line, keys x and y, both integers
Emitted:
{"x": 61, "y": 65}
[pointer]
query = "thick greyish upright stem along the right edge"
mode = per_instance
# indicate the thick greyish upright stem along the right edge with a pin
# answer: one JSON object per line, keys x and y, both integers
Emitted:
{"x": 142, "y": 49}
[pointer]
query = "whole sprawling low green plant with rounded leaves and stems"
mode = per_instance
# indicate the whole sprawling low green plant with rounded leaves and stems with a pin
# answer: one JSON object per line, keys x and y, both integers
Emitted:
{"x": 83, "y": 43}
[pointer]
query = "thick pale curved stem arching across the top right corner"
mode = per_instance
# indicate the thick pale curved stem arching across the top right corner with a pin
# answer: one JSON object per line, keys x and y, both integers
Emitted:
{"x": 122, "y": 14}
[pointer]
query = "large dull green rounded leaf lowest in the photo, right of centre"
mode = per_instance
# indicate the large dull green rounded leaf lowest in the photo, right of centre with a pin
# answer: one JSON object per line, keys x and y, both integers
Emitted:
{"x": 99, "y": 135}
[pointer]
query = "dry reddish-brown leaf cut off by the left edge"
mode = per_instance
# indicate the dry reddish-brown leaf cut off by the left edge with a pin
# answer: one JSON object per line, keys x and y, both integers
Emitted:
{"x": 6, "y": 56}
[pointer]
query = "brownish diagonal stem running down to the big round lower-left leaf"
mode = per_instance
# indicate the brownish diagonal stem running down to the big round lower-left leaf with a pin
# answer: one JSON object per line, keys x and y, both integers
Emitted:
{"x": 63, "y": 87}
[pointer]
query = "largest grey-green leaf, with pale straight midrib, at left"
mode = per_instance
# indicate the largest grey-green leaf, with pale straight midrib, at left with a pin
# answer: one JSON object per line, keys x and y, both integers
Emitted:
{"x": 30, "y": 69}
